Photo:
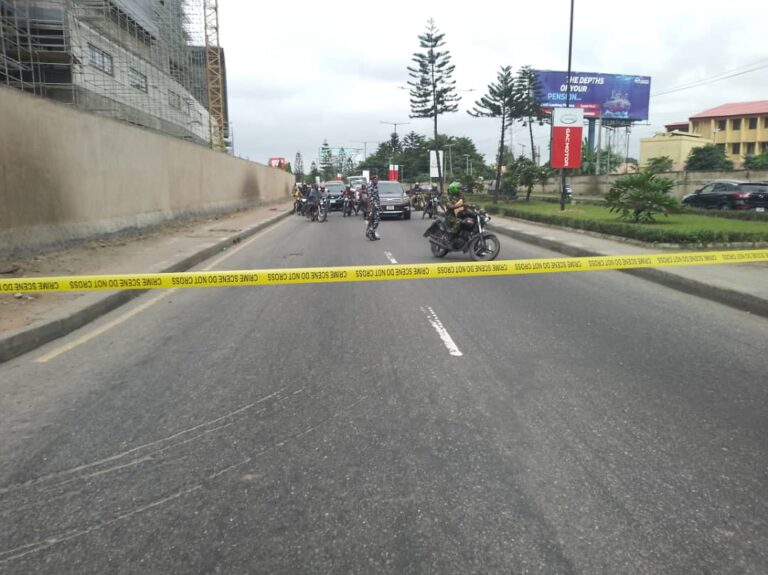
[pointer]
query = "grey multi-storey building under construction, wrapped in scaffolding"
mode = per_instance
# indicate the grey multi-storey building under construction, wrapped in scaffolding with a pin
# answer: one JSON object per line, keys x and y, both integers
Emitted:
{"x": 139, "y": 61}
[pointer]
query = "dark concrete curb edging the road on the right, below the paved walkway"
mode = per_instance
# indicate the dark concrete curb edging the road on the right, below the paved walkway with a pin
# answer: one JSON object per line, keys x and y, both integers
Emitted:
{"x": 731, "y": 298}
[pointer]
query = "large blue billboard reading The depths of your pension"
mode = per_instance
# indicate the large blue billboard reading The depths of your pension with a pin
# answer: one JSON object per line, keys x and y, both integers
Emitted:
{"x": 599, "y": 95}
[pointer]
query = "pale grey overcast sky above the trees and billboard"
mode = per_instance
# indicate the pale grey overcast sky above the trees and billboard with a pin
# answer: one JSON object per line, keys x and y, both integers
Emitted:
{"x": 299, "y": 72}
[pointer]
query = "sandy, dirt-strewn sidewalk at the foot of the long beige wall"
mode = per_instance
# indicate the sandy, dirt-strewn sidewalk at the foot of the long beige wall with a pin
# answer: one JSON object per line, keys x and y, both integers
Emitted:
{"x": 29, "y": 321}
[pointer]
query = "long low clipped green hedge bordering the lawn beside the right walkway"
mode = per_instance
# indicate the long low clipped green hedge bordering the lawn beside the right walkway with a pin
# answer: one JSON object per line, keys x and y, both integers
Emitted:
{"x": 633, "y": 231}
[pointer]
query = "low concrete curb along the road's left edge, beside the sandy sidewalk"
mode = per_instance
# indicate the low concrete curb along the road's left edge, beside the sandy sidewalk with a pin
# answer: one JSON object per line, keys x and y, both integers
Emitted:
{"x": 29, "y": 340}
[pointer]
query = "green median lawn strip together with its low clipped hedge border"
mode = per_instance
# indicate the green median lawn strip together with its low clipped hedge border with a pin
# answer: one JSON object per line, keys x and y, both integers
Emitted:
{"x": 683, "y": 228}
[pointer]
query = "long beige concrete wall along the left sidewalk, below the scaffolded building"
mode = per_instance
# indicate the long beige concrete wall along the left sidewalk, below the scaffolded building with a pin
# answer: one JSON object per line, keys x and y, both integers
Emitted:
{"x": 67, "y": 175}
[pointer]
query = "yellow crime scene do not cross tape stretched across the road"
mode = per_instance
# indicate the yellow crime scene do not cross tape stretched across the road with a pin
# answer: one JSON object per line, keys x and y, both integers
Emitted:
{"x": 388, "y": 272}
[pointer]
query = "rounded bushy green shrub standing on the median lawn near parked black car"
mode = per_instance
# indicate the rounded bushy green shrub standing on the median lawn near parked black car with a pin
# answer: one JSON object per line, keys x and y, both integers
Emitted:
{"x": 637, "y": 197}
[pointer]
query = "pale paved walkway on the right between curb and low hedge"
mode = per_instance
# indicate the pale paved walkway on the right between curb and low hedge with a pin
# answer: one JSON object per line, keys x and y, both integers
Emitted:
{"x": 743, "y": 286}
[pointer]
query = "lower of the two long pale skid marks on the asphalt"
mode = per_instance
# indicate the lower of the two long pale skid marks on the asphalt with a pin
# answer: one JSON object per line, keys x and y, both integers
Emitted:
{"x": 51, "y": 541}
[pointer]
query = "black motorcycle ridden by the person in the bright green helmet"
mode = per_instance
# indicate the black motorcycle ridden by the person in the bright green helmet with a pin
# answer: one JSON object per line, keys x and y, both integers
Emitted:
{"x": 471, "y": 237}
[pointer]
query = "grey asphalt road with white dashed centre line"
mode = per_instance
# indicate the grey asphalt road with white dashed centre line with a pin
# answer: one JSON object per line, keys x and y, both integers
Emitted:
{"x": 571, "y": 423}
